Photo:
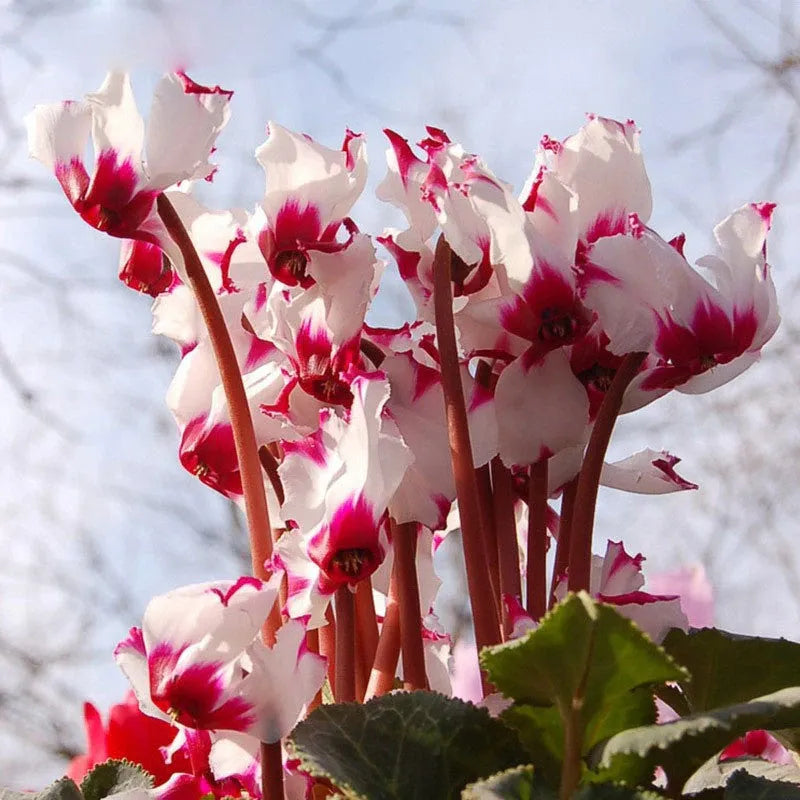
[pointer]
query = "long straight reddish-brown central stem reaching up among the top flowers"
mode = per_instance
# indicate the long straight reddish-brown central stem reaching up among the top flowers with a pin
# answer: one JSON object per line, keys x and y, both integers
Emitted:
{"x": 487, "y": 629}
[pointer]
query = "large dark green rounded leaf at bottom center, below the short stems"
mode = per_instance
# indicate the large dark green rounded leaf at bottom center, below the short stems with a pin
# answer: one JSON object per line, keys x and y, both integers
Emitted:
{"x": 405, "y": 745}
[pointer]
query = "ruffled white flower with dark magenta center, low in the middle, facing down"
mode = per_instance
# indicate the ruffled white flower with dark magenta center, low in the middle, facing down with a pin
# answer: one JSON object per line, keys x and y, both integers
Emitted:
{"x": 338, "y": 484}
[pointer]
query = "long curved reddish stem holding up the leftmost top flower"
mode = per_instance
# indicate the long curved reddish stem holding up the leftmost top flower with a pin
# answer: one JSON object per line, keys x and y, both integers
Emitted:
{"x": 255, "y": 499}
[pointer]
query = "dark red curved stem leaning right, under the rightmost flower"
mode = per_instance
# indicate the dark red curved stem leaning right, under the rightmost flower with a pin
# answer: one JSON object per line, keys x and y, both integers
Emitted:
{"x": 580, "y": 552}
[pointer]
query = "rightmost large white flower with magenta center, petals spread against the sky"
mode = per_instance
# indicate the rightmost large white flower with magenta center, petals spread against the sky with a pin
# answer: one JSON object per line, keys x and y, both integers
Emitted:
{"x": 702, "y": 332}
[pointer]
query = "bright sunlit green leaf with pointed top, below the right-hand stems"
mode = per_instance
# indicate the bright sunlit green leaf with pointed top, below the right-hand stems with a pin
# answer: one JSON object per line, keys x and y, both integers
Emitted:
{"x": 583, "y": 655}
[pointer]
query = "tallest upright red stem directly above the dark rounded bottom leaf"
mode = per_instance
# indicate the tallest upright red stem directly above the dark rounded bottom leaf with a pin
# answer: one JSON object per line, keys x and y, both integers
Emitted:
{"x": 404, "y": 543}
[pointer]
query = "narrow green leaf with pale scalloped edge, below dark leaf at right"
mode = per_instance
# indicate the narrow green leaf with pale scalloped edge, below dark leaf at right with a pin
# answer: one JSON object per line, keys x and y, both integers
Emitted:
{"x": 681, "y": 747}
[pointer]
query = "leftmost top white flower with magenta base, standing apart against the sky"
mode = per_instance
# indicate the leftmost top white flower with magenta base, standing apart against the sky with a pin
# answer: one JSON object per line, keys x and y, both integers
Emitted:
{"x": 132, "y": 166}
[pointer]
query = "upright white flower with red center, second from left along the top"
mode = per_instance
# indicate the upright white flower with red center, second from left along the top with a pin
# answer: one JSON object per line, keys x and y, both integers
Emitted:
{"x": 310, "y": 190}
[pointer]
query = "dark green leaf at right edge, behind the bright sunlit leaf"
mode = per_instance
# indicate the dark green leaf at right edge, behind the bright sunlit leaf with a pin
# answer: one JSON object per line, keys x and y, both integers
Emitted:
{"x": 727, "y": 668}
